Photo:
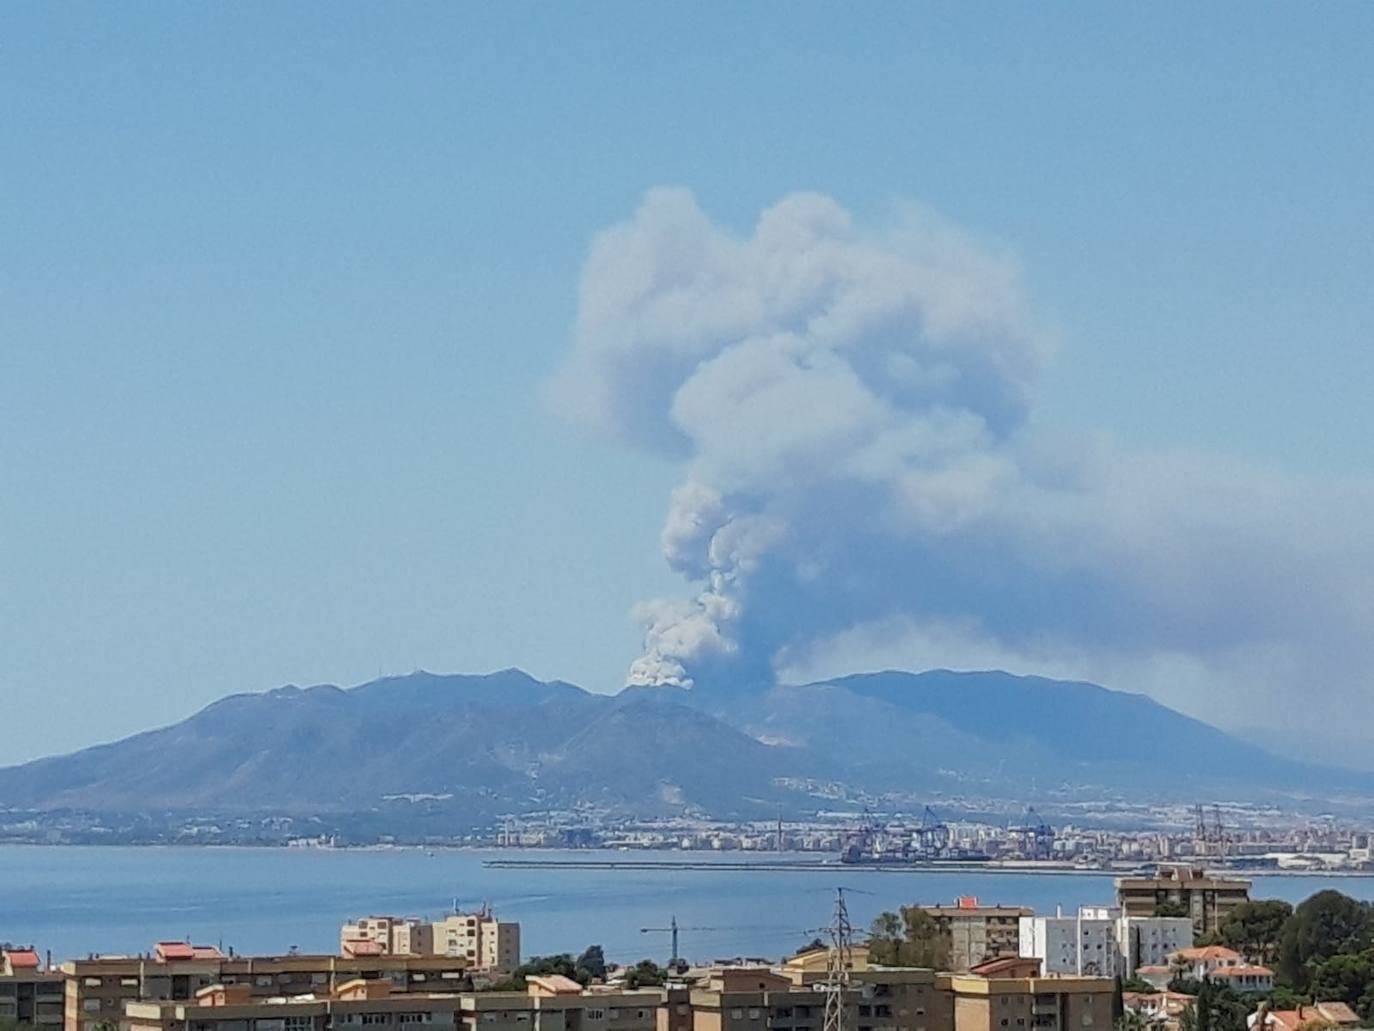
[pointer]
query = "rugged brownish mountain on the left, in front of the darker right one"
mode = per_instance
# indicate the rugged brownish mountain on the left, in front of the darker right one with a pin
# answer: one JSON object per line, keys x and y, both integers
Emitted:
{"x": 505, "y": 739}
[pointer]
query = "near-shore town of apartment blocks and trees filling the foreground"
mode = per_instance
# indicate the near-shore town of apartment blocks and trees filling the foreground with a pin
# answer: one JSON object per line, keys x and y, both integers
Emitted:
{"x": 1185, "y": 949}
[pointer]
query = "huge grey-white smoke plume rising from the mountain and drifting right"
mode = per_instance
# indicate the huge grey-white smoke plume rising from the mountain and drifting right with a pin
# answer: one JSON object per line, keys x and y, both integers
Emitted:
{"x": 864, "y": 485}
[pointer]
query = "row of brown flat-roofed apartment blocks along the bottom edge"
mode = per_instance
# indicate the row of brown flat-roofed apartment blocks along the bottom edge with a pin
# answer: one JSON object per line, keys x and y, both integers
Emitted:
{"x": 182, "y": 988}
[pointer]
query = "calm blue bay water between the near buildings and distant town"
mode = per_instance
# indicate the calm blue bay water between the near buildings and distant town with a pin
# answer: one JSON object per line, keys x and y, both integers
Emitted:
{"x": 75, "y": 901}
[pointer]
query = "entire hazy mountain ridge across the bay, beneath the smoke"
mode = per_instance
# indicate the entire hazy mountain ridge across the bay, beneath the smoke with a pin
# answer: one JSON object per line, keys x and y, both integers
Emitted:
{"x": 508, "y": 743}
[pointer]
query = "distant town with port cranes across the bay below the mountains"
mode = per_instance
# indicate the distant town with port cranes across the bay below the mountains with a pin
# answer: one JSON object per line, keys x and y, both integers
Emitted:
{"x": 1237, "y": 836}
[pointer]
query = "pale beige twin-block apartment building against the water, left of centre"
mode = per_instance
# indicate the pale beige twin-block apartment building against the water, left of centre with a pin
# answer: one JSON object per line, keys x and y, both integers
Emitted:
{"x": 487, "y": 944}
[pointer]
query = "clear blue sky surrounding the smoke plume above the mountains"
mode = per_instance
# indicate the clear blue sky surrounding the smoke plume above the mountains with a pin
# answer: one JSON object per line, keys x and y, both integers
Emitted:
{"x": 281, "y": 288}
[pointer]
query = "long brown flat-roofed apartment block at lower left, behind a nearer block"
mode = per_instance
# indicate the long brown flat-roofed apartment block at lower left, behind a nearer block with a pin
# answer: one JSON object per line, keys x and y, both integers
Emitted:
{"x": 98, "y": 989}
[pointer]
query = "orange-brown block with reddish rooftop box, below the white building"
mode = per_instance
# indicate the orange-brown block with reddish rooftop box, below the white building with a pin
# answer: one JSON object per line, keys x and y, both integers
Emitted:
{"x": 1009, "y": 995}
